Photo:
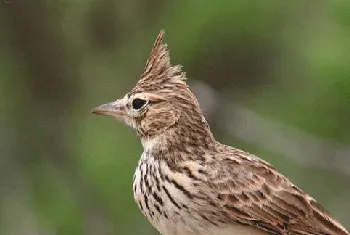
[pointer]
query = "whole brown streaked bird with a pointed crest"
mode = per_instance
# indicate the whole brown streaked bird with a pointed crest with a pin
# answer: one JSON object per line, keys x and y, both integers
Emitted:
{"x": 188, "y": 183}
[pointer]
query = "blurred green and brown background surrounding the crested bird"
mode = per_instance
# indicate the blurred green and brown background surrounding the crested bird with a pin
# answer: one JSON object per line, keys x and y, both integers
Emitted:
{"x": 273, "y": 78}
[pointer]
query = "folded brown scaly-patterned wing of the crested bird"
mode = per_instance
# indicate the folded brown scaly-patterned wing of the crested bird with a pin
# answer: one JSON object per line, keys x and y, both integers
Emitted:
{"x": 252, "y": 192}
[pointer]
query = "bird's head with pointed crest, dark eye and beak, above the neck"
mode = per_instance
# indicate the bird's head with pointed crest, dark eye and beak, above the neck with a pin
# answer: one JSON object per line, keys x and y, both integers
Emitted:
{"x": 161, "y": 103}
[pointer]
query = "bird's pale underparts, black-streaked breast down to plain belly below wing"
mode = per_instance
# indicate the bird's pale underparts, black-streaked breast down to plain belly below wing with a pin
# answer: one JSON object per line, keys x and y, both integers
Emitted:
{"x": 174, "y": 203}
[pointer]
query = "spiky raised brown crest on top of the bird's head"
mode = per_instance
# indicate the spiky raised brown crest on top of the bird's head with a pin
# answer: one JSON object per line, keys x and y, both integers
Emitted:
{"x": 158, "y": 69}
